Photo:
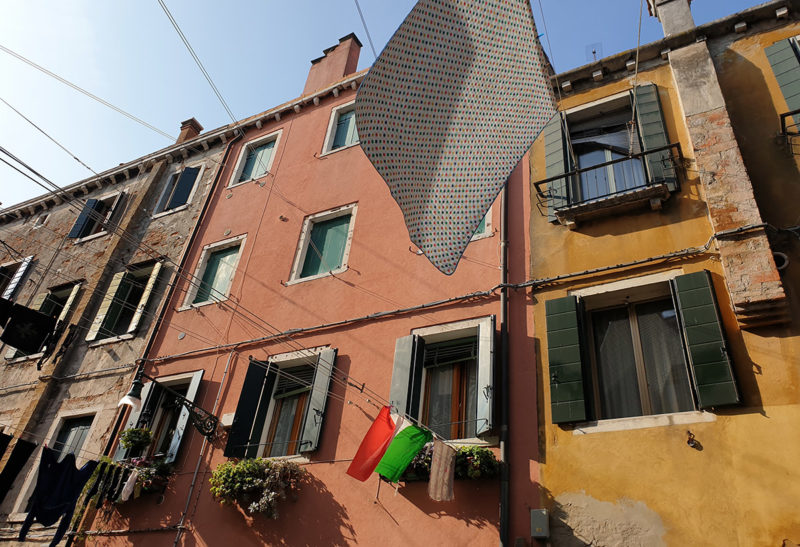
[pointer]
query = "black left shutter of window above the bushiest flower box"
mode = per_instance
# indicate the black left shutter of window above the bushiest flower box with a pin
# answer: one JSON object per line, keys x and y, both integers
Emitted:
{"x": 257, "y": 385}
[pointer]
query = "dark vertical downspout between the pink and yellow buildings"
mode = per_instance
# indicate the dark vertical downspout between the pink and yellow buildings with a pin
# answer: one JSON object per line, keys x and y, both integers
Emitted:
{"x": 504, "y": 383}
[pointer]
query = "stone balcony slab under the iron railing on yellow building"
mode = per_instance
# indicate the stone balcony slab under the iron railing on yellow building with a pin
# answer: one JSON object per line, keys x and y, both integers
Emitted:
{"x": 653, "y": 195}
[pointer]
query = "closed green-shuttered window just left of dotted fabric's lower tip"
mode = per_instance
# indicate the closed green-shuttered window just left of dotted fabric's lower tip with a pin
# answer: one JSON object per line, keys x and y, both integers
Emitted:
{"x": 324, "y": 244}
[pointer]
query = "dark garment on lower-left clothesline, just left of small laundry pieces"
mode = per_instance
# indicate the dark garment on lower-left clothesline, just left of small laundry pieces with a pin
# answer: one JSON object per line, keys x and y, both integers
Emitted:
{"x": 58, "y": 487}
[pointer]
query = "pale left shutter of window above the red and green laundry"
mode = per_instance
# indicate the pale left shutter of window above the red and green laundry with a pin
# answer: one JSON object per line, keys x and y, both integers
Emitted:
{"x": 404, "y": 395}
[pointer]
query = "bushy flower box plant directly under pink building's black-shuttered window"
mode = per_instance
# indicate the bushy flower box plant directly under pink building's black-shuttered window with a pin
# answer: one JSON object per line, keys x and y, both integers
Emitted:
{"x": 257, "y": 484}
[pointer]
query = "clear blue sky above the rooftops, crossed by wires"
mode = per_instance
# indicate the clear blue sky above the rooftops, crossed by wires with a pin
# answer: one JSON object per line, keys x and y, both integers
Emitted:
{"x": 258, "y": 54}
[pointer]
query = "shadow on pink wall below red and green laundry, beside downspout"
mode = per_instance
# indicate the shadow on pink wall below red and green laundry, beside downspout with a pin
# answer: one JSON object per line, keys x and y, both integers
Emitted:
{"x": 475, "y": 502}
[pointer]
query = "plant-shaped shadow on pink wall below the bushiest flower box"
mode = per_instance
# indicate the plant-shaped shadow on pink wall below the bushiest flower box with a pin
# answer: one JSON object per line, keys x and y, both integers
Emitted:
{"x": 323, "y": 521}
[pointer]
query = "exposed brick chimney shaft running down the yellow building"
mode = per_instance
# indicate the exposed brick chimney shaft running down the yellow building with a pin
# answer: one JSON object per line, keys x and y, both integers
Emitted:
{"x": 753, "y": 281}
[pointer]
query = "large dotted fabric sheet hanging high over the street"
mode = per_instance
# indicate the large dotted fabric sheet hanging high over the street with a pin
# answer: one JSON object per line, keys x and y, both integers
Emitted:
{"x": 448, "y": 110}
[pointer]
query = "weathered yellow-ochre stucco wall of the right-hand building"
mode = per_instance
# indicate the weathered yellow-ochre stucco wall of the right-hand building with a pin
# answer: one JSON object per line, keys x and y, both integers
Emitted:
{"x": 647, "y": 486}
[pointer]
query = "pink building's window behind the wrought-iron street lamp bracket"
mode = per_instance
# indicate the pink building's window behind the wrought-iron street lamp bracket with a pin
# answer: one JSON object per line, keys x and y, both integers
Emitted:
{"x": 164, "y": 415}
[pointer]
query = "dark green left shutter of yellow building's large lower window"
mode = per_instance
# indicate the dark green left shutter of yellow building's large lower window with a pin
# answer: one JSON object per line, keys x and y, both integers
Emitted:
{"x": 567, "y": 399}
